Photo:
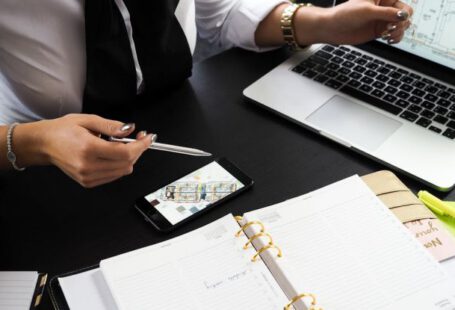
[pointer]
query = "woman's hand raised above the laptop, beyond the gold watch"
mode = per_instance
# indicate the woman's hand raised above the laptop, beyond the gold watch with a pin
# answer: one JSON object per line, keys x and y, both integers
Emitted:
{"x": 353, "y": 22}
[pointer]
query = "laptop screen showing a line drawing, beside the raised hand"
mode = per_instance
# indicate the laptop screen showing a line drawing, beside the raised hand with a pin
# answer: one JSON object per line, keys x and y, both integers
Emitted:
{"x": 431, "y": 34}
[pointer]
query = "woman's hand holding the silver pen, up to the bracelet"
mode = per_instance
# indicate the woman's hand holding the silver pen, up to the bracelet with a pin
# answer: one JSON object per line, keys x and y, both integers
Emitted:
{"x": 72, "y": 143}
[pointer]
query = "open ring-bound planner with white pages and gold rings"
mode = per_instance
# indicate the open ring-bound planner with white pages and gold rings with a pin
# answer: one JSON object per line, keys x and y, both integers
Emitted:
{"x": 336, "y": 248}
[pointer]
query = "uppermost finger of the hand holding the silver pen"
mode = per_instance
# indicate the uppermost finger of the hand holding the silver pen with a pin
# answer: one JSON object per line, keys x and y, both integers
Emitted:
{"x": 97, "y": 124}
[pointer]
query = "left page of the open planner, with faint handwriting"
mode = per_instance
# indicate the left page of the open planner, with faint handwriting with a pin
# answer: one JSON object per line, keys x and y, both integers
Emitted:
{"x": 204, "y": 269}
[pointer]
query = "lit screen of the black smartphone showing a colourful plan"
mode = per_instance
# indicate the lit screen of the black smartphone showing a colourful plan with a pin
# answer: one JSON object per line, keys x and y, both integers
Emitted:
{"x": 194, "y": 192}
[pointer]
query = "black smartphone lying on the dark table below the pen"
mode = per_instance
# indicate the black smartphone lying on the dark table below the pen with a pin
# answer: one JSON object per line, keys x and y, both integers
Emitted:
{"x": 192, "y": 195}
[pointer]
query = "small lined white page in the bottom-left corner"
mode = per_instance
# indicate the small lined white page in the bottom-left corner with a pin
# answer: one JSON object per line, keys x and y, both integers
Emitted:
{"x": 17, "y": 289}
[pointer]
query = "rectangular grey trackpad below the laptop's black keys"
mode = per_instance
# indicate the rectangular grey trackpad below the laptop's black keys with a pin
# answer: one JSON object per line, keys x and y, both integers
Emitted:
{"x": 353, "y": 123}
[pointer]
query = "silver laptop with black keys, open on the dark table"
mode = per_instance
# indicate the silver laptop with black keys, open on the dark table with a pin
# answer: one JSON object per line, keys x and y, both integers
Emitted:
{"x": 394, "y": 114}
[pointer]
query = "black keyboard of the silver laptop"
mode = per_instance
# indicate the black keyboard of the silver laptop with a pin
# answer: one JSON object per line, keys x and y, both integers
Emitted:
{"x": 411, "y": 96}
